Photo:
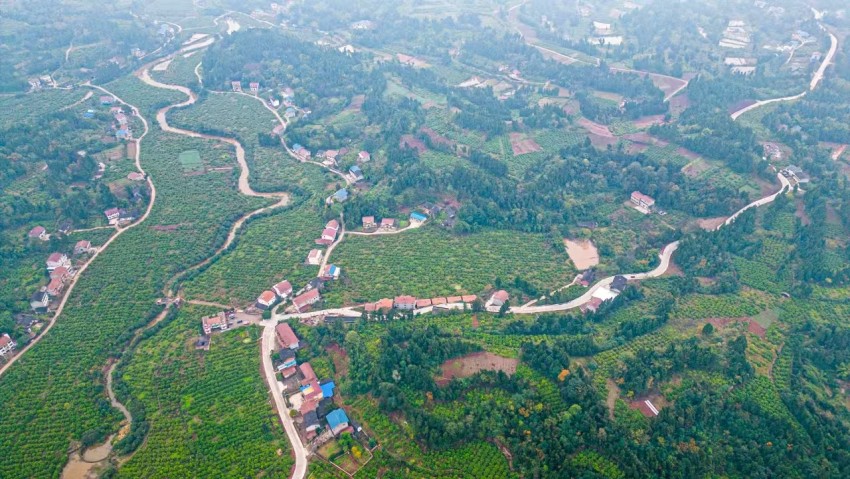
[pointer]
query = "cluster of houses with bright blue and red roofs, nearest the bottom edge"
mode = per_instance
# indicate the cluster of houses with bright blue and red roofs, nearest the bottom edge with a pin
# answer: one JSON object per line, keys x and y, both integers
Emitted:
{"x": 316, "y": 396}
